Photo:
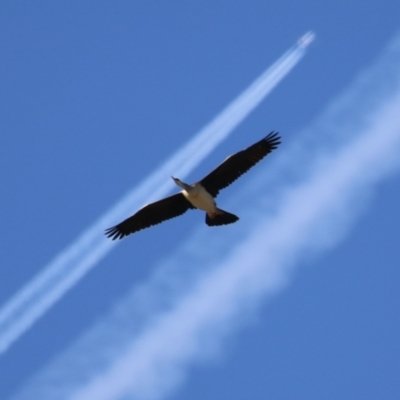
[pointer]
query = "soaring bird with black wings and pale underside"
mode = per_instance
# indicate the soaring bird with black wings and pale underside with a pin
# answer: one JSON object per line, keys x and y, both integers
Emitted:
{"x": 200, "y": 195}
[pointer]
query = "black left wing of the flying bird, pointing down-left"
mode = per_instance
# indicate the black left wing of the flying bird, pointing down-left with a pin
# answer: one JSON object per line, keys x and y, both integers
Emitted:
{"x": 150, "y": 214}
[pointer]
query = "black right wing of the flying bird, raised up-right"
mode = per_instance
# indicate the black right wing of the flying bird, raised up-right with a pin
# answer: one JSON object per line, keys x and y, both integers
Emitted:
{"x": 237, "y": 164}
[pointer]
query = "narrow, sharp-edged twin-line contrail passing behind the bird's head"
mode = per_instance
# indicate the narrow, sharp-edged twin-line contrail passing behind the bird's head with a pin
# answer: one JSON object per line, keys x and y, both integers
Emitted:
{"x": 62, "y": 273}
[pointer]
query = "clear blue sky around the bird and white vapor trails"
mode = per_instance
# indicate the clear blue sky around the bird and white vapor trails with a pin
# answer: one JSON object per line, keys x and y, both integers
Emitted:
{"x": 96, "y": 96}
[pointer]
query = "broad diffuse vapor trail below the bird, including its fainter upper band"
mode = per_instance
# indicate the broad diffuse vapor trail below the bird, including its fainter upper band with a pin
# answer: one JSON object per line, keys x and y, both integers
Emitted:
{"x": 362, "y": 132}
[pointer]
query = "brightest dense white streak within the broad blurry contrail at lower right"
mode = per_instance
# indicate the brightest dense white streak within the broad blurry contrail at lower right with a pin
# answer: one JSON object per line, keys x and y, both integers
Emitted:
{"x": 154, "y": 361}
